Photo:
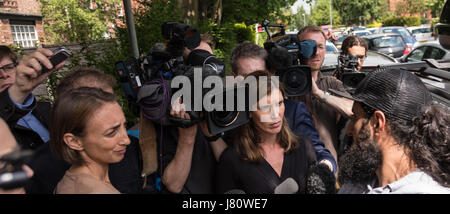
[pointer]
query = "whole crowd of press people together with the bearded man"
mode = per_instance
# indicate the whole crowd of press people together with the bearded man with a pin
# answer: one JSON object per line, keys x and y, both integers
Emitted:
{"x": 399, "y": 137}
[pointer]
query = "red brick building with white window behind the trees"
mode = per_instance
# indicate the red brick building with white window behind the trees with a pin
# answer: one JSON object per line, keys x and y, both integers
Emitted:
{"x": 21, "y": 23}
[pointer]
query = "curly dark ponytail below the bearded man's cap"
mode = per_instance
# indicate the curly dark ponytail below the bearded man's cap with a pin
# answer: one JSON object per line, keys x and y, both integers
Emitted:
{"x": 427, "y": 140}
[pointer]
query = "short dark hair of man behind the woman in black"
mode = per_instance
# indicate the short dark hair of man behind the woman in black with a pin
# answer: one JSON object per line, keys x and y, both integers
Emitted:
{"x": 246, "y": 50}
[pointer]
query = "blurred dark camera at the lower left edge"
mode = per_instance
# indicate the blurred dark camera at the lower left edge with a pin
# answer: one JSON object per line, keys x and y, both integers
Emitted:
{"x": 12, "y": 175}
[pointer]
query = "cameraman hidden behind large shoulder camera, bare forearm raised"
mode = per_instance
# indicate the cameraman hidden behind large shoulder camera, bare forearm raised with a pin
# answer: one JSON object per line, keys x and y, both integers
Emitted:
{"x": 187, "y": 155}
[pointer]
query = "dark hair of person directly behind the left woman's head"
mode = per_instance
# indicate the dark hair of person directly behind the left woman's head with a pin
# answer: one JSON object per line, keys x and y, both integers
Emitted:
{"x": 78, "y": 76}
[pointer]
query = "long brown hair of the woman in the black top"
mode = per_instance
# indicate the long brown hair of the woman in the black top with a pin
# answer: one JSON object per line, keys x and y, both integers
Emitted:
{"x": 247, "y": 138}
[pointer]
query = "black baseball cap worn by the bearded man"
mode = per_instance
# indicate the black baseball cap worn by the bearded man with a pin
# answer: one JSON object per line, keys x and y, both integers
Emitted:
{"x": 397, "y": 93}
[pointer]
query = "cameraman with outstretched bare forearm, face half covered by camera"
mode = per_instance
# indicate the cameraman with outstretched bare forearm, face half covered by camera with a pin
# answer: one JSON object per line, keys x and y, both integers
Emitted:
{"x": 326, "y": 109}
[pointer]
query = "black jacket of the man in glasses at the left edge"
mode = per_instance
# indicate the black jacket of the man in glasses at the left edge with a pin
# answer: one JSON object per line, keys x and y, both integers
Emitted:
{"x": 25, "y": 137}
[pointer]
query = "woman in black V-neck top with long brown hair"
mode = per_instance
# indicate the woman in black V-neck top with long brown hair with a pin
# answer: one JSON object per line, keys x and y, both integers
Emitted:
{"x": 266, "y": 154}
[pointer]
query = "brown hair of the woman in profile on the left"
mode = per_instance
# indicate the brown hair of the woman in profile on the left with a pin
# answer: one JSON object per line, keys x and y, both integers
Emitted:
{"x": 70, "y": 114}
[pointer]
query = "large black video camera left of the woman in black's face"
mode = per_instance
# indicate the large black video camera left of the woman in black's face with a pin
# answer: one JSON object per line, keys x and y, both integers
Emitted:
{"x": 147, "y": 80}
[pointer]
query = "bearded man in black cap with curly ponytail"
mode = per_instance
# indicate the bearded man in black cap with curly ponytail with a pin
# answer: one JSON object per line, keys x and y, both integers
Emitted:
{"x": 400, "y": 138}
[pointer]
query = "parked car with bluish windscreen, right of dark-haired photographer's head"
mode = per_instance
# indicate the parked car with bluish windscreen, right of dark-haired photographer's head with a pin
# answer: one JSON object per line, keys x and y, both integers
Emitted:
{"x": 391, "y": 44}
